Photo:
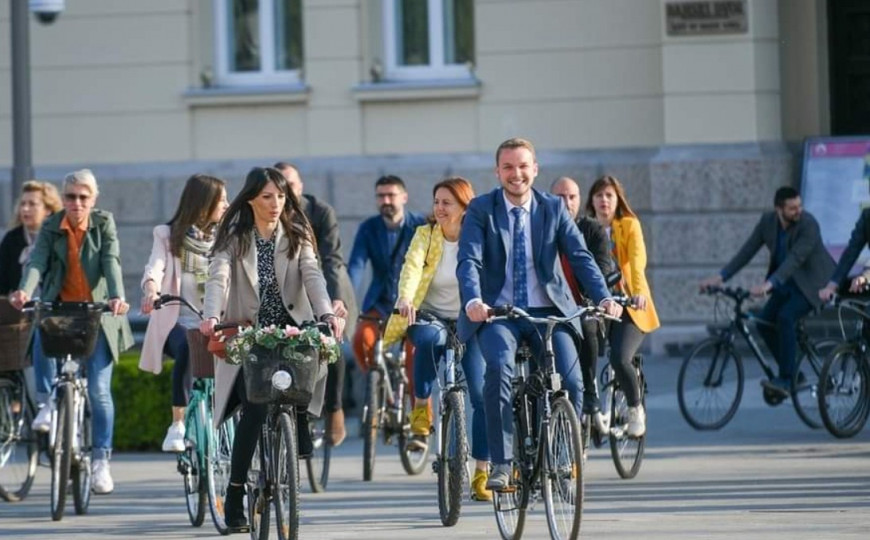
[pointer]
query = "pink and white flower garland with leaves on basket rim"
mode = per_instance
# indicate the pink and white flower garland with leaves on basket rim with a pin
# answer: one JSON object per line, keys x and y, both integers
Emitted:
{"x": 295, "y": 343}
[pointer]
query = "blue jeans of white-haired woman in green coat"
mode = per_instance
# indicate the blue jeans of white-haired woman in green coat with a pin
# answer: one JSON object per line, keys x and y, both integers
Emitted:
{"x": 99, "y": 370}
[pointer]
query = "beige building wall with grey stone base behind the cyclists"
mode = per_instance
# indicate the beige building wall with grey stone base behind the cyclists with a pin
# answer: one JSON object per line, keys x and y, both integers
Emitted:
{"x": 695, "y": 105}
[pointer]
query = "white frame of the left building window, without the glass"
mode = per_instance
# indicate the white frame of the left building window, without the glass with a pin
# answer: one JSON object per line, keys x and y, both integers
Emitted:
{"x": 267, "y": 75}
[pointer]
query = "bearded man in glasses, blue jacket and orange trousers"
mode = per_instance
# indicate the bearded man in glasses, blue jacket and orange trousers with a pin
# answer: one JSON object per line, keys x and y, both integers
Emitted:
{"x": 382, "y": 240}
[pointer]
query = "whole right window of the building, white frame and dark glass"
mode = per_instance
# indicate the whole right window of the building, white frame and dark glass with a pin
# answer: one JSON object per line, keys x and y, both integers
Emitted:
{"x": 428, "y": 39}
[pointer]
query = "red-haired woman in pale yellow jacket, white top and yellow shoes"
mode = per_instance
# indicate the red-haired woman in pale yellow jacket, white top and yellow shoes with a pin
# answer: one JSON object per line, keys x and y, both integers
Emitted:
{"x": 428, "y": 281}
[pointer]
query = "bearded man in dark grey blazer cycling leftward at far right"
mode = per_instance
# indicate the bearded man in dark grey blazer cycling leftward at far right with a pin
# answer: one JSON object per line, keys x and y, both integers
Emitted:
{"x": 799, "y": 266}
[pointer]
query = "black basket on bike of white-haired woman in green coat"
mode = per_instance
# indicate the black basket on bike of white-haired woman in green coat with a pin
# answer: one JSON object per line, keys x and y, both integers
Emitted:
{"x": 69, "y": 328}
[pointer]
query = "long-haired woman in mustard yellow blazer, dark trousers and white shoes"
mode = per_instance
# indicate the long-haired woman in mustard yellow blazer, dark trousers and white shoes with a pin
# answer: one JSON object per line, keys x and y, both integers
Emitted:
{"x": 608, "y": 204}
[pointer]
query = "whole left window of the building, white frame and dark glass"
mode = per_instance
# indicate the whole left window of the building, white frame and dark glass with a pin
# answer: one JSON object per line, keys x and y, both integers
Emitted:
{"x": 259, "y": 42}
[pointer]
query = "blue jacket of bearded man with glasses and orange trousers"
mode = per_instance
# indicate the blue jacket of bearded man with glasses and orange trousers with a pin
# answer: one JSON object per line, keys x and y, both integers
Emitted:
{"x": 371, "y": 244}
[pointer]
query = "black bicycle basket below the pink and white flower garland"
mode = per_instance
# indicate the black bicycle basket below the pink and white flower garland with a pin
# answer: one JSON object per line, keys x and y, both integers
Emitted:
{"x": 262, "y": 363}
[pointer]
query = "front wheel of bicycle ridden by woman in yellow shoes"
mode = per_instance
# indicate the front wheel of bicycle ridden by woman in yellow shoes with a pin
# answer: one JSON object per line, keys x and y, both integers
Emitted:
{"x": 452, "y": 460}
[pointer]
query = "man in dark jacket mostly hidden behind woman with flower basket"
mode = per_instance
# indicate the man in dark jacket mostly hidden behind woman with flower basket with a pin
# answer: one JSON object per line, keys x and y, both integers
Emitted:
{"x": 326, "y": 231}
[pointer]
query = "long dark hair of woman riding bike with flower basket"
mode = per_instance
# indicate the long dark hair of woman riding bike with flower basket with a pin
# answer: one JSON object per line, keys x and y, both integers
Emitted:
{"x": 238, "y": 221}
